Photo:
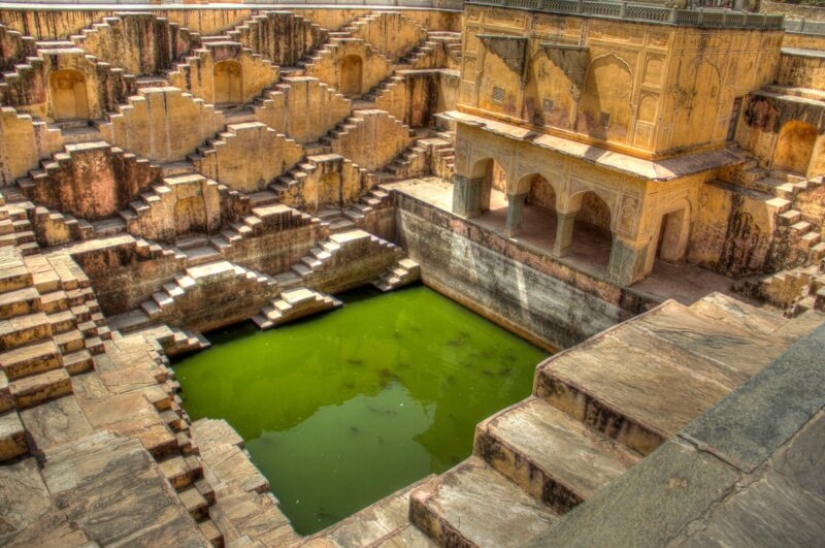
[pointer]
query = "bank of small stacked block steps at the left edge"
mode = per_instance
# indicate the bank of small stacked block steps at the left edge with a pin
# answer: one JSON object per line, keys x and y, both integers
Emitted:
{"x": 51, "y": 329}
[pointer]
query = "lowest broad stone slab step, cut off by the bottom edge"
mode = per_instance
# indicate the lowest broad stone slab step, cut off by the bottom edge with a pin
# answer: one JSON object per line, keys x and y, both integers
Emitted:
{"x": 472, "y": 505}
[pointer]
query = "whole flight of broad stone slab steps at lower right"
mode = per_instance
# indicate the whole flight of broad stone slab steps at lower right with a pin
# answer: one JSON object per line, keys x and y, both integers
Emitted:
{"x": 596, "y": 410}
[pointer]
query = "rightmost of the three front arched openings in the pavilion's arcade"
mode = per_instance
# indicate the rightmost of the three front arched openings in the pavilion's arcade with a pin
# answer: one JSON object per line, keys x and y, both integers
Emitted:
{"x": 591, "y": 238}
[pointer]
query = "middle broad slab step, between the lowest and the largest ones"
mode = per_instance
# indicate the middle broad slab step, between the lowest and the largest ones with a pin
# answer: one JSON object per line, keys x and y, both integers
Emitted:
{"x": 552, "y": 456}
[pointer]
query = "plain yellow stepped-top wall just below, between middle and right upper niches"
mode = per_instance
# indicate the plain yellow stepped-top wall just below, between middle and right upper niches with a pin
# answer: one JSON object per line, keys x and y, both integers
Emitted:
{"x": 303, "y": 108}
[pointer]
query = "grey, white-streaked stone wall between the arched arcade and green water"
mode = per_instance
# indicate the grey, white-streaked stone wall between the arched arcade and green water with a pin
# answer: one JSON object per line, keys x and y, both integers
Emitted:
{"x": 544, "y": 301}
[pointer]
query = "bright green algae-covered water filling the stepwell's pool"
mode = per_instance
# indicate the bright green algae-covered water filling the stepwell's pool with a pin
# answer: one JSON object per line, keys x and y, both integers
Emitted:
{"x": 341, "y": 410}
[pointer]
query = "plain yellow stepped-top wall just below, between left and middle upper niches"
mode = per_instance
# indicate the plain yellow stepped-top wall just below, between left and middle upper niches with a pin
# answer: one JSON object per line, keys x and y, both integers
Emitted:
{"x": 162, "y": 124}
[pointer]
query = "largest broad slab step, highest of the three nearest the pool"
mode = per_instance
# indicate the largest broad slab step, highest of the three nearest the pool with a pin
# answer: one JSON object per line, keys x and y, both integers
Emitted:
{"x": 675, "y": 364}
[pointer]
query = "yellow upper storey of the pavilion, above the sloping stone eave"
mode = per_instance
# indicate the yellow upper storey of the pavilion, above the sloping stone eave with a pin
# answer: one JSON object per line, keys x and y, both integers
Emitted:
{"x": 645, "y": 89}
